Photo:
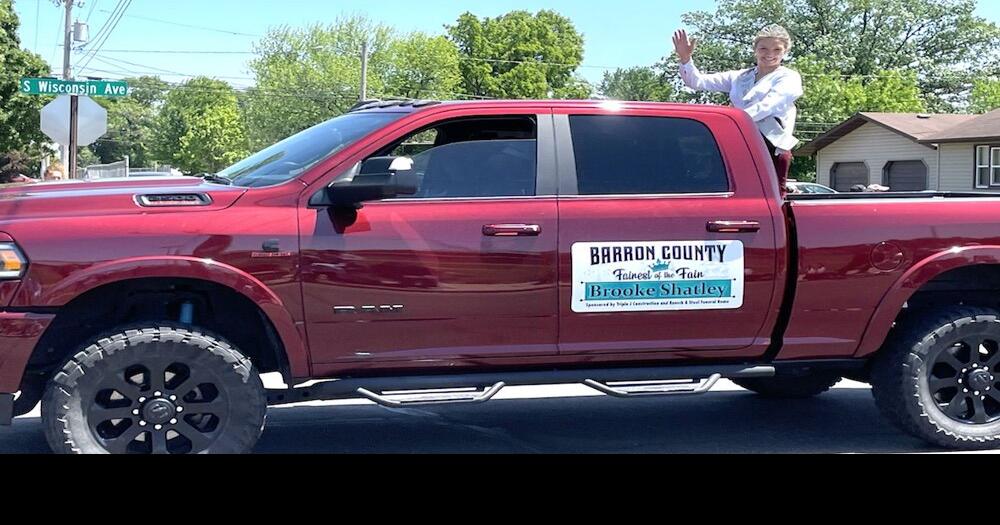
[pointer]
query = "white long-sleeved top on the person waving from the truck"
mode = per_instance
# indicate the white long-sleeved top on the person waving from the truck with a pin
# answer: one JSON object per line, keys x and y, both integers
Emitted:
{"x": 770, "y": 102}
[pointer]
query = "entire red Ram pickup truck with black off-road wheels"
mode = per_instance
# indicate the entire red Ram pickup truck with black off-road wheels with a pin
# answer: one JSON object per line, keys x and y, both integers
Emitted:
{"x": 426, "y": 252}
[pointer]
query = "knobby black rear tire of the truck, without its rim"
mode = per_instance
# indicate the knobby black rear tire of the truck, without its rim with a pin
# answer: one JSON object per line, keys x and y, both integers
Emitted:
{"x": 901, "y": 379}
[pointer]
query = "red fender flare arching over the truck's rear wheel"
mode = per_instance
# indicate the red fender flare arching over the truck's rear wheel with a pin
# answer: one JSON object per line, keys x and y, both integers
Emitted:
{"x": 916, "y": 277}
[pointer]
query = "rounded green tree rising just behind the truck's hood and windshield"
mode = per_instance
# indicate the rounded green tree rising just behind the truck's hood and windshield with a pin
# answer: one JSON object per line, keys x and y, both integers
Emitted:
{"x": 199, "y": 128}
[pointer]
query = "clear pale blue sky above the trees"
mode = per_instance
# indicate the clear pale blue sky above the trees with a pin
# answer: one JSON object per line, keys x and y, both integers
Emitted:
{"x": 636, "y": 33}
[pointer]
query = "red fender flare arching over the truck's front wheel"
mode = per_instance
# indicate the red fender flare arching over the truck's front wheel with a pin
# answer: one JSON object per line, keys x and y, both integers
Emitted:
{"x": 180, "y": 267}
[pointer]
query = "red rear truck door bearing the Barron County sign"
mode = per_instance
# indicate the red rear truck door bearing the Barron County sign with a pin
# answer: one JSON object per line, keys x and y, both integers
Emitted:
{"x": 667, "y": 242}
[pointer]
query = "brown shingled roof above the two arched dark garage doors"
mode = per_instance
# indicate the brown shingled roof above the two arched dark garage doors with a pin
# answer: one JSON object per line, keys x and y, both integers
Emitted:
{"x": 922, "y": 128}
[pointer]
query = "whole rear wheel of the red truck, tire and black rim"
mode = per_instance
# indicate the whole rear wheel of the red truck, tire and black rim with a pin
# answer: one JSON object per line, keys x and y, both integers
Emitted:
{"x": 938, "y": 378}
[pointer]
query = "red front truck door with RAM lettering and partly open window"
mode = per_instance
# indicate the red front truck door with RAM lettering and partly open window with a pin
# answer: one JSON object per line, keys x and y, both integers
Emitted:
{"x": 463, "y": 270}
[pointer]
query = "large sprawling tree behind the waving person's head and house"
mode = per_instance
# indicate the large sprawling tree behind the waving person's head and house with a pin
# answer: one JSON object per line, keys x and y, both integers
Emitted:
{"x": 942, "y": 40}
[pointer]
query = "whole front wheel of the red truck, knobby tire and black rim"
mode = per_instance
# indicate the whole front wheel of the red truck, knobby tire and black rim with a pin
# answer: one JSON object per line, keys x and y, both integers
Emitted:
{"x": 83, "y": 391}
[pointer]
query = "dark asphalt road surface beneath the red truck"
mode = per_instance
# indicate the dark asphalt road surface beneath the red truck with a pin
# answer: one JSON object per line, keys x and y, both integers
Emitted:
{"x": 571, "y": 419}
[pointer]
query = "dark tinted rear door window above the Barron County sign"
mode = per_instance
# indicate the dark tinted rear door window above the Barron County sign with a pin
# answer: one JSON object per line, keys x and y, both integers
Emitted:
{"x": 624, "y": 155}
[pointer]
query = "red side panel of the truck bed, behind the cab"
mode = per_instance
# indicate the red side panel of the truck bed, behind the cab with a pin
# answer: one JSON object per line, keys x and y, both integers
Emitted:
{"x": 853, "y": 255}
